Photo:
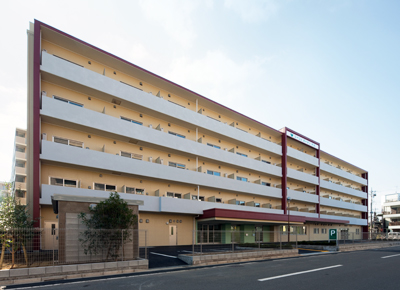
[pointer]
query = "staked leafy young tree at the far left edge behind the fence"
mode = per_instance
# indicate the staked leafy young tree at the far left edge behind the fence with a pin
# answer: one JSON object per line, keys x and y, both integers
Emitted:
{"x": 16, "y": 228}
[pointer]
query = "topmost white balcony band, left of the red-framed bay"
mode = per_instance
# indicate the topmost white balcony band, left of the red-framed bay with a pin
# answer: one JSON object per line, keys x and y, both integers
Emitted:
{"x": 100, "y": 83}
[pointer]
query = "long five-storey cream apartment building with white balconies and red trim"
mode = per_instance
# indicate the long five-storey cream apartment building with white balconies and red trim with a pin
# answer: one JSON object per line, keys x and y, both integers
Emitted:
{"x": 98, "y": 124}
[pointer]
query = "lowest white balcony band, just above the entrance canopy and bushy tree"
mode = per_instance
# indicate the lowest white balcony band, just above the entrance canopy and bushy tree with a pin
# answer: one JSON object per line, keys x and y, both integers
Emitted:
{"x": 151, "y": 203}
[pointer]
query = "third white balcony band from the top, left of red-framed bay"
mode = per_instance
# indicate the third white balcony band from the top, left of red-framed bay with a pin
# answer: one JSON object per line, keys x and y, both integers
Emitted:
{"x": 103, "y": 161}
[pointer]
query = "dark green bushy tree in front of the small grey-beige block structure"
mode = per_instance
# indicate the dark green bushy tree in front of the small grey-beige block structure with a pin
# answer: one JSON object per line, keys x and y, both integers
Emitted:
{"x": 107, "y": 227}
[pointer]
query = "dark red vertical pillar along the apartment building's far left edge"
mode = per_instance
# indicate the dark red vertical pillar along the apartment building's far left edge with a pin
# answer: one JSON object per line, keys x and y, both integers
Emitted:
{"x": 36, "y": 123}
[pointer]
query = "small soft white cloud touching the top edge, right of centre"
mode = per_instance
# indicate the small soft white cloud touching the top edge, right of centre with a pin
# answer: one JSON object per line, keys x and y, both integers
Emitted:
{"x": 253, "y": 11}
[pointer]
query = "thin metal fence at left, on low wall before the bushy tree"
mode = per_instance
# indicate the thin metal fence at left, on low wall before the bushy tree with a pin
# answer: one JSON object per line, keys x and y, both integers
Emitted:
{"x": 39, "y": 247}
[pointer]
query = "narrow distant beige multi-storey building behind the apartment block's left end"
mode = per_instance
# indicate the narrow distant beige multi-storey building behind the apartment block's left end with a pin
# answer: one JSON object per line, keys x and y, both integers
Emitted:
{"x": 19, "y": 165}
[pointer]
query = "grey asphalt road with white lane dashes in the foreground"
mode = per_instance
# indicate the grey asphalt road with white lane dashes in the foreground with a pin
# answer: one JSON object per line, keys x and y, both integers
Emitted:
{"x": 371, "y": 269}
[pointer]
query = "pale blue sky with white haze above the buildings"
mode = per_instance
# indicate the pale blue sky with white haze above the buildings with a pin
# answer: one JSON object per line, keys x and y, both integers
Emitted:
{"x": 327, "y": 69}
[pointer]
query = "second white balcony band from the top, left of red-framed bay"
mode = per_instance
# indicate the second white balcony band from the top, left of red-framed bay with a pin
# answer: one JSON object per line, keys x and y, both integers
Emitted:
{"x": 111, "y": 125}
